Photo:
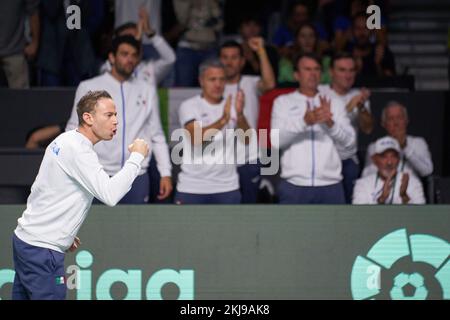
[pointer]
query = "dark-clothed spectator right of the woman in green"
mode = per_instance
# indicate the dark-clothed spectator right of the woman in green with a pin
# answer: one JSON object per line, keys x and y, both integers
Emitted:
{"x": 371, "y": 59}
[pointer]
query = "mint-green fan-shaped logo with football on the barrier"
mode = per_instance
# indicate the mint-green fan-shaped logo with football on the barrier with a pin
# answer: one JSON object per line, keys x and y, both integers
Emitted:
{"x": 403, "y": 267}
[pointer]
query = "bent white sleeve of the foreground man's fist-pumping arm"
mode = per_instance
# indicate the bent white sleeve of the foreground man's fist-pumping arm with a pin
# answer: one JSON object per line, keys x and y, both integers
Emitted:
{"x": 85, "y": 168}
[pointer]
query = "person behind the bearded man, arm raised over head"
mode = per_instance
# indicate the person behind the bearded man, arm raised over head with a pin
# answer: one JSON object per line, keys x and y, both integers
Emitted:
{"x": 153, "y": 70}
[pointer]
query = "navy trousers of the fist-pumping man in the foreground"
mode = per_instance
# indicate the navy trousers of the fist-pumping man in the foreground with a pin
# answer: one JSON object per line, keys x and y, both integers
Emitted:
{"x": 39, "y": 273}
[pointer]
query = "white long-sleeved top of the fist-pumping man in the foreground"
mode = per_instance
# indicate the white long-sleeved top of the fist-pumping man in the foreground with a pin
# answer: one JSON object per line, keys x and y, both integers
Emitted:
{"x": 69, "y": 177}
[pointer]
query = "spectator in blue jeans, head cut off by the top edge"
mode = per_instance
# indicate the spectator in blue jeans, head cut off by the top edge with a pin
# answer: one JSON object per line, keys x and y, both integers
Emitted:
{"x": 202, "y": 23}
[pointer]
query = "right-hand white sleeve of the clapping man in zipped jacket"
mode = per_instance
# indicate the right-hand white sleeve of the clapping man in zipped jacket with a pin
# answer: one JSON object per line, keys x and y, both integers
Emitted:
{"x": 342, "y": 132}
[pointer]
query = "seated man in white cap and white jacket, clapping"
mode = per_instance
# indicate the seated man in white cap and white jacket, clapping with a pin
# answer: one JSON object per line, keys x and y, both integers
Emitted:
{"x": 388, "y": 185}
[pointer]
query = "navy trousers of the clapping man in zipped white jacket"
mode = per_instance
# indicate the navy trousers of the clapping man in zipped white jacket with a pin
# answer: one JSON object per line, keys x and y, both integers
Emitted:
{"x": 292, "y": 194}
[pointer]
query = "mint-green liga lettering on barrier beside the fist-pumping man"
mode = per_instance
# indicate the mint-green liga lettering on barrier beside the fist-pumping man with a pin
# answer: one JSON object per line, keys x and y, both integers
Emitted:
{"x": 80, "y": 278}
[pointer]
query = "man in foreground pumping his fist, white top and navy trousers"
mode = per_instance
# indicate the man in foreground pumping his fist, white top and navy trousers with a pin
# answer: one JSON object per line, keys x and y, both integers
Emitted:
{"x": 69, "y": 177}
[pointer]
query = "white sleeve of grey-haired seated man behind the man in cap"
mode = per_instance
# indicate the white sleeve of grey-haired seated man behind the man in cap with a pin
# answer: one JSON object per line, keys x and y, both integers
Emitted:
{"x": 419, "y": 157}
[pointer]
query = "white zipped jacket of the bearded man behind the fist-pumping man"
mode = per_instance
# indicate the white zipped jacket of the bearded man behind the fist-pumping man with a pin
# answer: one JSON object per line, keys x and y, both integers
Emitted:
{"x": 138, "y": 115}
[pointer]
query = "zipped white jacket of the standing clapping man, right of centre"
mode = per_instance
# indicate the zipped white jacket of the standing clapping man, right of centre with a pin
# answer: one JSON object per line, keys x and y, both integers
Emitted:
{"x": 309, "y": 153}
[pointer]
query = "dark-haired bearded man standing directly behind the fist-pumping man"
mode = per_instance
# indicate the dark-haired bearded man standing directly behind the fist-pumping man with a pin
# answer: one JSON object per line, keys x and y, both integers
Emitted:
{"x": 138, "y": 115}
